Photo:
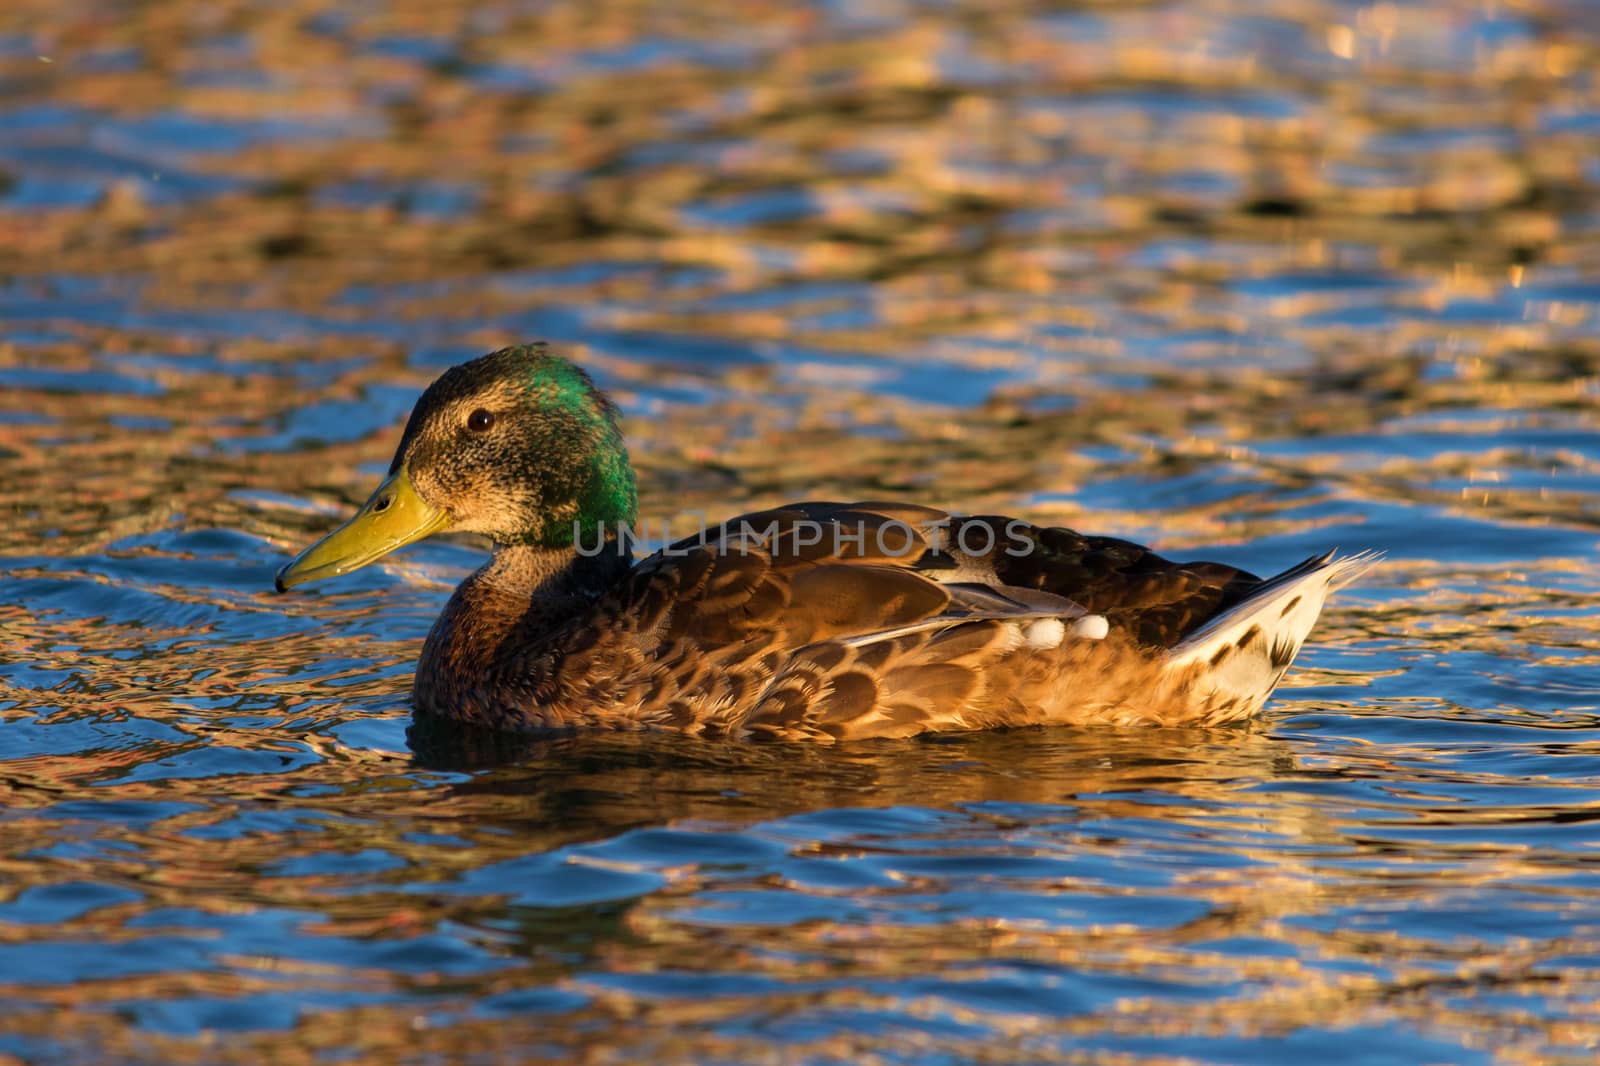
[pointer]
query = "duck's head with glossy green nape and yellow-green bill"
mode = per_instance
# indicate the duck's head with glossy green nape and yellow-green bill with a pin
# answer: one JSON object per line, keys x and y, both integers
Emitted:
{"x": 519, "y": 446}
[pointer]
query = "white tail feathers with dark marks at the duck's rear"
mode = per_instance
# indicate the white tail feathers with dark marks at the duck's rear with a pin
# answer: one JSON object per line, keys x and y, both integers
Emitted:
{"x": 1247, "y": 649}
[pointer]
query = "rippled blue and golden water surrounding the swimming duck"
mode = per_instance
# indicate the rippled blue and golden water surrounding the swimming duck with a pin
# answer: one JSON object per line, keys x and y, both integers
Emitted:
{"x": 1239, "y": 281}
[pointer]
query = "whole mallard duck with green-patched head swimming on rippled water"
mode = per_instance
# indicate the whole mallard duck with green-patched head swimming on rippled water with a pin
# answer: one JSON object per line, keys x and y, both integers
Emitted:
{"x": 809, "y": 622}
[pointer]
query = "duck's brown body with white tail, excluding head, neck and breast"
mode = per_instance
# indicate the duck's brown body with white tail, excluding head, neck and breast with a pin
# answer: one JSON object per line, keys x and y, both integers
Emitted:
{"x": 834, "y": 622}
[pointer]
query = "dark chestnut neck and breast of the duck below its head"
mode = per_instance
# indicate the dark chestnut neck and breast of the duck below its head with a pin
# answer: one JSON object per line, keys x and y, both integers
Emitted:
{"x": 519, "y": 599}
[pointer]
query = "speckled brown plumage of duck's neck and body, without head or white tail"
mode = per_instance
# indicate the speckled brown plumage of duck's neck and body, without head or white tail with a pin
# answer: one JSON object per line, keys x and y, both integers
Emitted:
{"x": 762, "y": 636}
